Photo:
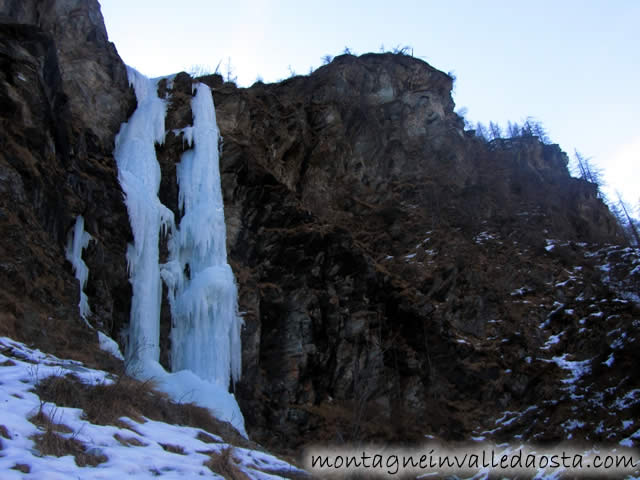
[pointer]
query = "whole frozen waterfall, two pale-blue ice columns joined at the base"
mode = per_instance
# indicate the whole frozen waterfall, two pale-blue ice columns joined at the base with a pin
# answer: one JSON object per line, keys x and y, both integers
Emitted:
{"x": 205, "y": 333}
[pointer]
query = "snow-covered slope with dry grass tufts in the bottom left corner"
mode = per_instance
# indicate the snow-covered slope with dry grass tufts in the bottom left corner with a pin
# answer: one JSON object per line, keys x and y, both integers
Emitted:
{"x": 149, "y": 449}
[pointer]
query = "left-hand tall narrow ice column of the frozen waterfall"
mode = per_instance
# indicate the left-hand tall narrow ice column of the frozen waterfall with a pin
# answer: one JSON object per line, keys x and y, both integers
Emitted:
{"x": 139, "y": 175}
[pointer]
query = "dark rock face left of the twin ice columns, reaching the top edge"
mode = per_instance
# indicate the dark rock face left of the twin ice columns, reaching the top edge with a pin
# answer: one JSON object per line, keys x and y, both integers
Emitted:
{"x": 64, "y": 94}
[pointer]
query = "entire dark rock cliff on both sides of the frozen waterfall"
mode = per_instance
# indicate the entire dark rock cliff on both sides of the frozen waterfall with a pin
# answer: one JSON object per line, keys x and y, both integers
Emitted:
{"x": 391, "y": 266}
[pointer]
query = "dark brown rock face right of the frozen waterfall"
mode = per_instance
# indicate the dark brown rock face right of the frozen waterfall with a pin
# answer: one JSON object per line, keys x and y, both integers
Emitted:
{"x": 375, "y": 242}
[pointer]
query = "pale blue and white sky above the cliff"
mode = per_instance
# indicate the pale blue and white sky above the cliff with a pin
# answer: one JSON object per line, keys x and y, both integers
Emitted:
{"x": 574, "y": 65}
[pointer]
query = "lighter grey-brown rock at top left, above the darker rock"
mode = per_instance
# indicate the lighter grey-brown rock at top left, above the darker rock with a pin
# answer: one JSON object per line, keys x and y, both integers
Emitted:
{"x": 93, "y": 76}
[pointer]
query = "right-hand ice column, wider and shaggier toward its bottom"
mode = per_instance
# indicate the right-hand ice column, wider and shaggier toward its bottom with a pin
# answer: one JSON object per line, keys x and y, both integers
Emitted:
{"x": 205, "y": 337}
